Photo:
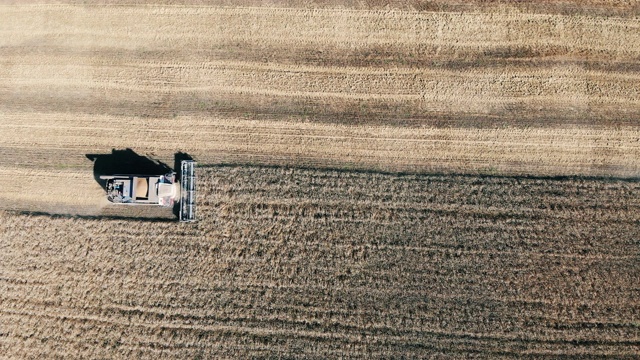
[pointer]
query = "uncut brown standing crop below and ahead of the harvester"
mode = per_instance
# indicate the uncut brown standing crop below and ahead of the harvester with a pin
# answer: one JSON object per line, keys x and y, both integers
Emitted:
{"x": 326, "y": 263}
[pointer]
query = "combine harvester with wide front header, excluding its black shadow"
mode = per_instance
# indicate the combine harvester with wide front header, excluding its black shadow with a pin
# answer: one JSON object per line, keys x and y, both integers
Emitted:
{"x": 160, "y": 190}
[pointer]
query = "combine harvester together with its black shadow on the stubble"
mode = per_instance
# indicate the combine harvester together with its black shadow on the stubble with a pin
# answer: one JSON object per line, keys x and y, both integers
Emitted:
{"x": 132, "y": 179}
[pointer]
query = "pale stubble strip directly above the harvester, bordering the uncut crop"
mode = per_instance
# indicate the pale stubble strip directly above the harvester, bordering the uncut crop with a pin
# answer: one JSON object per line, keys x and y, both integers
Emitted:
{"x": 549, "y": 151}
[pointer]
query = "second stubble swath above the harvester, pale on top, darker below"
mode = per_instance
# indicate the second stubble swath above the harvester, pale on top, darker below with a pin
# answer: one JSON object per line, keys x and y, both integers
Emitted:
{"x": 529, "y": 96}
